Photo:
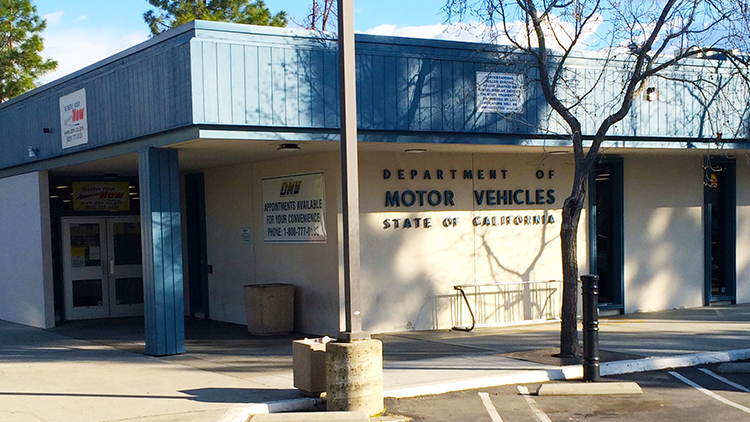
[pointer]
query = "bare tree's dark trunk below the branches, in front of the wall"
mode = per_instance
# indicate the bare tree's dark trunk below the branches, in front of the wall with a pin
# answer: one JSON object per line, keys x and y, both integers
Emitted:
{"x": 571, "y": 214}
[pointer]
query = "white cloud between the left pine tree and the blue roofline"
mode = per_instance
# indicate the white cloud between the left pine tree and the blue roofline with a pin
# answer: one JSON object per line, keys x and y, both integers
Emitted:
{"x": 76, "y": 48}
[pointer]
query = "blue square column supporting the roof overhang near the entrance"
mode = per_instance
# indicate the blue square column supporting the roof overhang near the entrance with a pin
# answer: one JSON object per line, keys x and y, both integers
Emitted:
{"x": 162, "y": 251}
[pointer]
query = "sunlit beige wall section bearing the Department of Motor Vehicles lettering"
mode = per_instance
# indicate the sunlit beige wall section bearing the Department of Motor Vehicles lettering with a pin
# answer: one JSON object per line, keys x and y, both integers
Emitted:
{"x": 409, "y": 273}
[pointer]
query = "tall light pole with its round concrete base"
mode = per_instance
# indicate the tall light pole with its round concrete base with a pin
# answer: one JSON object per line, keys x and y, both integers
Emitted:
{"x": 354, "y": 363}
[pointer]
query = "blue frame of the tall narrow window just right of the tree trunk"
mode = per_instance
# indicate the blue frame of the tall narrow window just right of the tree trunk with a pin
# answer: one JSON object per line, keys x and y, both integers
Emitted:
{"x": 618, "y": 243}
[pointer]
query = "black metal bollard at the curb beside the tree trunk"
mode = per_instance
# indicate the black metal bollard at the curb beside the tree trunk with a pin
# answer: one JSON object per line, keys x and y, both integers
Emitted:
{"x": 590, "y": 327}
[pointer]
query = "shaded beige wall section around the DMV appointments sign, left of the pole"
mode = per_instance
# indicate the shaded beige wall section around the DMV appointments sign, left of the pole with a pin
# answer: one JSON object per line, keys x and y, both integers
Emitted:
{"x": 234, "y": 201}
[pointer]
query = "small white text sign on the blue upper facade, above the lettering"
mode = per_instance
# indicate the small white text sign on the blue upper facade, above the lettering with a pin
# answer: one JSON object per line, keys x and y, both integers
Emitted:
{"x": 500, "y": 92}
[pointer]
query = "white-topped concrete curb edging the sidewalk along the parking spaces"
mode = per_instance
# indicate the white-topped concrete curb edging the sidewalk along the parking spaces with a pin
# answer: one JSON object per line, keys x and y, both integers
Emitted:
{"x": 570, "y": 372}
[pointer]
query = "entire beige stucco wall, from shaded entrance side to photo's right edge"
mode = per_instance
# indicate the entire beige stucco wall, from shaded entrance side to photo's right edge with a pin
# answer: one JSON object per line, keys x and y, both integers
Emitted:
{"x": 408, "y": 274}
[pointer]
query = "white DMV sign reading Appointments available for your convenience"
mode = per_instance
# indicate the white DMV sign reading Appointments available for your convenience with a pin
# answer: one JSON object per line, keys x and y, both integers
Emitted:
{"x": 294, "y": 208}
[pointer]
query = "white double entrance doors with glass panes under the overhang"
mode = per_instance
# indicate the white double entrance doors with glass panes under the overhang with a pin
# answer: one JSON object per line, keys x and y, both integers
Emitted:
{"x": 102, "y": 269}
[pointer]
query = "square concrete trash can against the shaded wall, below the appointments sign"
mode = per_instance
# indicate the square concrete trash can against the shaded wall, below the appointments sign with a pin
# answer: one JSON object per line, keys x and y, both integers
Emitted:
{"x": 270, "y": 308}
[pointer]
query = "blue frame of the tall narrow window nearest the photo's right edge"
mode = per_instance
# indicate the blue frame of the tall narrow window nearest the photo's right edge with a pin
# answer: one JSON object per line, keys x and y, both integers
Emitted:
{"x": 730, "y": 230}
